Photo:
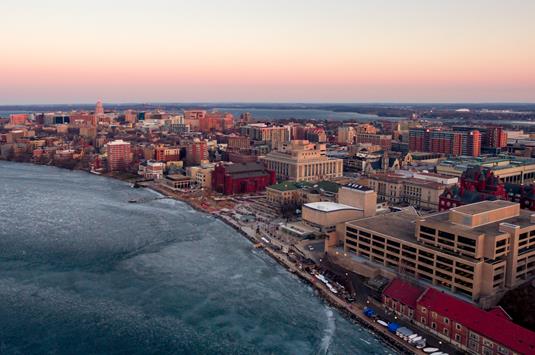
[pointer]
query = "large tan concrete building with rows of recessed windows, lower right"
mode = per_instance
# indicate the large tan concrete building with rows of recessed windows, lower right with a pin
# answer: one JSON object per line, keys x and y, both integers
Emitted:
{"x": 476, "y": 251}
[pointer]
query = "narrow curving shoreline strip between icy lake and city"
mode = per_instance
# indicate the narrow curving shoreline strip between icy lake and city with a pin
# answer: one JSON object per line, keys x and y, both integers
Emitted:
{"x": 352, "y": 311}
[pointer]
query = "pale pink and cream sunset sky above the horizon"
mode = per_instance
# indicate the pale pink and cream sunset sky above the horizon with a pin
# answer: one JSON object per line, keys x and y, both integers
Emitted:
{"x": 74, "y": 51}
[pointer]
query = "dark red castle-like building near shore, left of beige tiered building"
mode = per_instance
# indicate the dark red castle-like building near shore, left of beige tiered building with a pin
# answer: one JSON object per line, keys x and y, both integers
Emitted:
{"x": 241, "y": 178}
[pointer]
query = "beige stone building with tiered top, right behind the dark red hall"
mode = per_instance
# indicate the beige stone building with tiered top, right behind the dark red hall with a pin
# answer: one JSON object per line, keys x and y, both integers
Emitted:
{"x": 303, "y": 161}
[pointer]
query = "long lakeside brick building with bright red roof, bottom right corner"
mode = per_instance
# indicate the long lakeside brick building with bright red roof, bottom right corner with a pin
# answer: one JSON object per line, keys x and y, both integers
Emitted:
{"x": 463, "y": 324}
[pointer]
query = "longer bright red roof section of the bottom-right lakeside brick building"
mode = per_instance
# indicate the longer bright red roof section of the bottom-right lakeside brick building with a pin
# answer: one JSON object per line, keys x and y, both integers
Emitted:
{"x": 487, "y": 324}
